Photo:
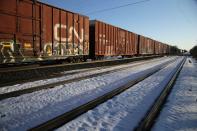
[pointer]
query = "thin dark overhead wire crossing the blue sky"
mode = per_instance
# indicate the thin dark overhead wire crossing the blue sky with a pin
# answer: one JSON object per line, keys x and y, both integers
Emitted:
{"x": 116, "y": 7}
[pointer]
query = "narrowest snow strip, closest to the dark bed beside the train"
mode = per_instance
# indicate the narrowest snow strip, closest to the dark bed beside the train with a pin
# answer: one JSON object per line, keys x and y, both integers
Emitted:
{"x": 16, "y": 87}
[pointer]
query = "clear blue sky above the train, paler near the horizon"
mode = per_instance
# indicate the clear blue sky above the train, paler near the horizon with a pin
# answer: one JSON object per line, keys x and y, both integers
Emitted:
{"x": 169, "y": 21}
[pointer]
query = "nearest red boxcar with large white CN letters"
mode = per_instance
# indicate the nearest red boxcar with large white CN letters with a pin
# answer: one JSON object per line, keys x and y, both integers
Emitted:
{"x": 35, "y": 30}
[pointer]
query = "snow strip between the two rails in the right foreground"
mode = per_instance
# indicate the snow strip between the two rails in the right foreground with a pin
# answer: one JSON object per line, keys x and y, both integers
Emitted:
{"x": 124, "y": 111}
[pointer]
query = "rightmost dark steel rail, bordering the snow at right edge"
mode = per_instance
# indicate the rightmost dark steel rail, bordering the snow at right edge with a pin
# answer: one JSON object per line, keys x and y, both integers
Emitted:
{"x": 152, "y": 114}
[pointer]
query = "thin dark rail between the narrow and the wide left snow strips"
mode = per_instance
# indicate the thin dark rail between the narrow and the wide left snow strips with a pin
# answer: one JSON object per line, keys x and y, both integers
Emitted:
{"x": 52, "y": 85}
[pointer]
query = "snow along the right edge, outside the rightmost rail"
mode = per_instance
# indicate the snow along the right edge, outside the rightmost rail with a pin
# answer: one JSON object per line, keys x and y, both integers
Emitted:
{"x": 180, "y": 111}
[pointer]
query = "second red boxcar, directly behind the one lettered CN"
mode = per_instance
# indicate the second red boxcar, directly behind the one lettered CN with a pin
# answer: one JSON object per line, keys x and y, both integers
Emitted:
{"x": 108, "y": 40}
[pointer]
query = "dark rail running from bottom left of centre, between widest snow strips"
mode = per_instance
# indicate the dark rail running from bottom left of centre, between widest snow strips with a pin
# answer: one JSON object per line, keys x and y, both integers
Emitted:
{"x": 68, "y": 116}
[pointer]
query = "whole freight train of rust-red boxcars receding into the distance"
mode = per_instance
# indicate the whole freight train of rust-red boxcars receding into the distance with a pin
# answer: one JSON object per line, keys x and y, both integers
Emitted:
{"x": 31, "y": 31}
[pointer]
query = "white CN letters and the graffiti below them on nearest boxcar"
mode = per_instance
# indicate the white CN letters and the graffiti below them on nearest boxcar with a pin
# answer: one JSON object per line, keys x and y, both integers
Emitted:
{"x": 66, "y": 46}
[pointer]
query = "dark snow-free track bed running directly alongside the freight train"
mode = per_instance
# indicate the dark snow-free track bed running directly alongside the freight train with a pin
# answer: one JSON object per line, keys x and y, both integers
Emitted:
{"x": 9, "y": 76}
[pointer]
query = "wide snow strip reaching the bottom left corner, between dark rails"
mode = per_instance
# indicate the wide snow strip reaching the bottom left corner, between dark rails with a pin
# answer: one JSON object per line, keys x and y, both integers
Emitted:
{"x": 26, "y": 111}
